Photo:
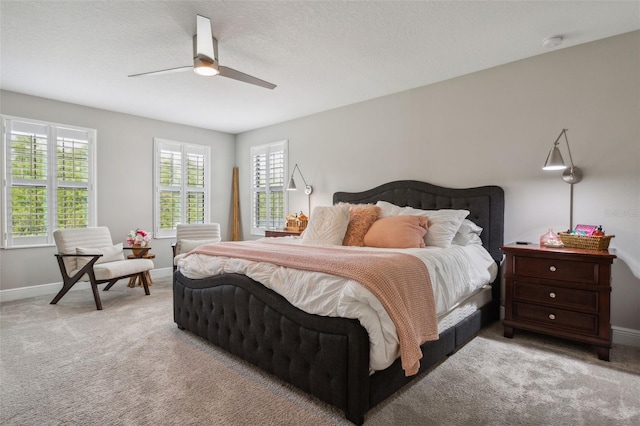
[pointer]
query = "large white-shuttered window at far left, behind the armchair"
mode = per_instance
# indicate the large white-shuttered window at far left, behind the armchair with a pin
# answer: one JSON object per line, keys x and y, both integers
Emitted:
{"x": 49, "y": 177}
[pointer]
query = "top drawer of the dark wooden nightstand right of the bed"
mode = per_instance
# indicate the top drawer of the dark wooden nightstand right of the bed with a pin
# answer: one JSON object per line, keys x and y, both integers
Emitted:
{"x": 556, "y": 269}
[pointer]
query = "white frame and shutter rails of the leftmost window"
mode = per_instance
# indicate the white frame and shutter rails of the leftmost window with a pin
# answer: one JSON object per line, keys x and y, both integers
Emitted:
{"x": 51, "y": 183}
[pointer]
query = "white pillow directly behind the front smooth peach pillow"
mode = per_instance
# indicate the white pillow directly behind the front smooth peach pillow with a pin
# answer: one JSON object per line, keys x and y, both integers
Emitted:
{"x": 443, "y": 223}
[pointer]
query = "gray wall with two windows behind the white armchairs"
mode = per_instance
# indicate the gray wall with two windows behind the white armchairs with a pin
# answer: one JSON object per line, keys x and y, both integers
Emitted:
{"x": 125, "y": 179}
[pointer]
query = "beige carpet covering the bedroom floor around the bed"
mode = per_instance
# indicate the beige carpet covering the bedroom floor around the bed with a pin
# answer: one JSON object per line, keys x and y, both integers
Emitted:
{"x": 69, "y": 364}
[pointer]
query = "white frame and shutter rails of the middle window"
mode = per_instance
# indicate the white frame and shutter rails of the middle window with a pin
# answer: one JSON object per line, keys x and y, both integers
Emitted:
{"x": 184, "y": 148}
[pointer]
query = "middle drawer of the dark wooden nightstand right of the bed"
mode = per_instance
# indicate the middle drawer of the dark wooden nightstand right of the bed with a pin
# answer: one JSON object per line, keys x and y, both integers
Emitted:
{"x": 556, "y": 296}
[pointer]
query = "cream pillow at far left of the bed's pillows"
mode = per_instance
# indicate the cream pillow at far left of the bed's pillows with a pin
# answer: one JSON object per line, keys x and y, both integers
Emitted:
{"x": 327, "y": 225}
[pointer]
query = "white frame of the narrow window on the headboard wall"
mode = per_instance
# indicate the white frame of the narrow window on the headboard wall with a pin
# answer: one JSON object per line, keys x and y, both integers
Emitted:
{"x": 269, "y": 148}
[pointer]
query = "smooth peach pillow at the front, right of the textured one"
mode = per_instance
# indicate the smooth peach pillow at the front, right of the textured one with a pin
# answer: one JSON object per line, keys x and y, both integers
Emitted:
{"x": 397, "y": 232}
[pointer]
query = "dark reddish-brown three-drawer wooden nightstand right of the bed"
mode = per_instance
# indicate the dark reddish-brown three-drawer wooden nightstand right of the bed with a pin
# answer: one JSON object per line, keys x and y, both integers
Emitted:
{"x": 561, "y": 292}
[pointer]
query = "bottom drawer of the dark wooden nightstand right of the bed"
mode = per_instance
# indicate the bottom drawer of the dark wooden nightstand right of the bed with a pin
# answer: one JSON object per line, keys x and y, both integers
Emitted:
{"x": 556, "y": 318}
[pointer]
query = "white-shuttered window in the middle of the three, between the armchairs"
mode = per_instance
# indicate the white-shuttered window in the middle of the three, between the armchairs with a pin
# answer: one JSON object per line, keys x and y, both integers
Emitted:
{"x": 182, "y": 185}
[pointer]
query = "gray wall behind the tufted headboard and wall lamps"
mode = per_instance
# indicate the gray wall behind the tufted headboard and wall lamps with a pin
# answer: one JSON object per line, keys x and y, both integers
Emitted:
{"x": 495, "y": 127}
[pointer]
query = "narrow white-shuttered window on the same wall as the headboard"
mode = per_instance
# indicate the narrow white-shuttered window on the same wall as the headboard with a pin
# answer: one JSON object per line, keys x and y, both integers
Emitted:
{"x": 268, "y": 175}
